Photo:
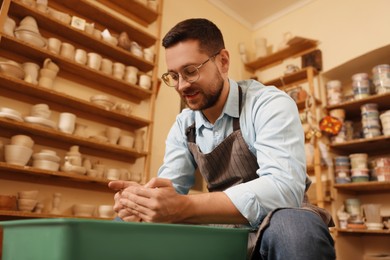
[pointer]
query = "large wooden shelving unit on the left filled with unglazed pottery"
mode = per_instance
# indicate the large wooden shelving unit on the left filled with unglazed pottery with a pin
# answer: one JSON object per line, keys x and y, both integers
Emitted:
{"x": 143, "y": 25}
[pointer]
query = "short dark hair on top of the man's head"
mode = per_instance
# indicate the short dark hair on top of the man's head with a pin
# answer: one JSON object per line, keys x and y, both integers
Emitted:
{"x": 207, "y": 33}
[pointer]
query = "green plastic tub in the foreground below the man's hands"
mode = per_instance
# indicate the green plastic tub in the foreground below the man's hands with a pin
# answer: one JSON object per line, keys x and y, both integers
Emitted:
{"x": 79, "y": 239}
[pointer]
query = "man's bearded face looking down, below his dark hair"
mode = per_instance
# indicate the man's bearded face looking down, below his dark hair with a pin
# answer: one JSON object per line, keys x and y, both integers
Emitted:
{"x": 204, "y": 92}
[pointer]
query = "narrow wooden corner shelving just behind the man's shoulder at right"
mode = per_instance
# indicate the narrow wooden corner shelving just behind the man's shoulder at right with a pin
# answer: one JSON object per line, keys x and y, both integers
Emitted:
{"x": 297, "y": 47}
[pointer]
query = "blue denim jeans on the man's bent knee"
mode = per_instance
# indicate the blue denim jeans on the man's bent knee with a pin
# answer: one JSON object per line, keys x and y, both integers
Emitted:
{"x": 296, "y": 234}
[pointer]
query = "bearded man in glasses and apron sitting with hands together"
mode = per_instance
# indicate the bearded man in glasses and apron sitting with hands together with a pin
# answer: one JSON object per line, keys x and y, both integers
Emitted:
{"x": 246, "y": 140}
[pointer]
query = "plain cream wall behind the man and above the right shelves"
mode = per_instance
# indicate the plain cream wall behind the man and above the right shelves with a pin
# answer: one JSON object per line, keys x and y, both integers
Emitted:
{"x": 345, "y": 29}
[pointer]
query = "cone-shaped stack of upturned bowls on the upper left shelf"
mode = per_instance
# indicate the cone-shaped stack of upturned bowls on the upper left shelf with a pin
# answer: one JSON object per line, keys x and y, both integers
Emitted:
{"x": 28, "y": 31}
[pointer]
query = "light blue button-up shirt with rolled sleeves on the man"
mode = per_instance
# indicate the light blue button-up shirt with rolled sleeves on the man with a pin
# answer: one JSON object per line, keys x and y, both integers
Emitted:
{"x": 272, "y": 129}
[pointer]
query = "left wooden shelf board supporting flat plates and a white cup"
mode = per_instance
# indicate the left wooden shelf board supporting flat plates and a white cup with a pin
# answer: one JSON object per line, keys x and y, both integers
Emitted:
{"x": 63, "y": 140}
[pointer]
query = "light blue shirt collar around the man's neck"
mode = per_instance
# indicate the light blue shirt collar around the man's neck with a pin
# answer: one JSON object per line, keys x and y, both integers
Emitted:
{"x": 231, "y": 107}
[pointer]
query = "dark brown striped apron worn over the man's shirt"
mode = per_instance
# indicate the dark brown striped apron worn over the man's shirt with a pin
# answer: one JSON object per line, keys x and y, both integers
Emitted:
{"x": 232, "y": 163}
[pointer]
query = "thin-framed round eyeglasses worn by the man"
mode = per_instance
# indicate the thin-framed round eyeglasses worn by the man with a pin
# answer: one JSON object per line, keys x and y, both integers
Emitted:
{"x": 190, "y": 73}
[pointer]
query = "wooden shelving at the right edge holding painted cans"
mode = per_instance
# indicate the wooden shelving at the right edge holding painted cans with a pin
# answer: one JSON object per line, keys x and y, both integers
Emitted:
{"x": 357, "y": 243}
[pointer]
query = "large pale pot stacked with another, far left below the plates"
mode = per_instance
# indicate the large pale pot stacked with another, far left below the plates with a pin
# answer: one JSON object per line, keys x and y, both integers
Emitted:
{"x": 19, "y": 151}
